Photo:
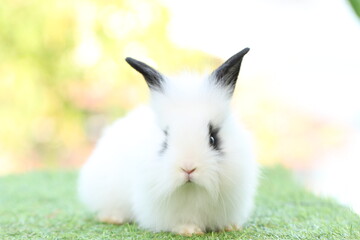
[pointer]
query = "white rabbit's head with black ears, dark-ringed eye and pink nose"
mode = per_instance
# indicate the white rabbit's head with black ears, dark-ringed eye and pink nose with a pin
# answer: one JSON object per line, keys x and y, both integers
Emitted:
{"x": 192, "y": 119}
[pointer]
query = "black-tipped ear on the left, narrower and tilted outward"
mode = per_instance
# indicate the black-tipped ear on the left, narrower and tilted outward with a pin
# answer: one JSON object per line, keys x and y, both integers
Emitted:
{"x": 153, "y": 78}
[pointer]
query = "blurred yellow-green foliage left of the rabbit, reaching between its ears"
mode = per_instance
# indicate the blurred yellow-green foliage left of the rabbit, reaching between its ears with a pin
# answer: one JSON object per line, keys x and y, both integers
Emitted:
{"x": 63, "y": 75}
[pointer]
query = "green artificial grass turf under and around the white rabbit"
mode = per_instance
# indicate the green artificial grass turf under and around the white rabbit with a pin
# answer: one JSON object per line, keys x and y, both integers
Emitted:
{"x": 43, "y": 205}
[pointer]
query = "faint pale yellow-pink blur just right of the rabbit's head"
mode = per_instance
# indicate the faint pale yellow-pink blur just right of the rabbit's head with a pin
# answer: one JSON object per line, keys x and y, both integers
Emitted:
{"x": 285, "y": 134}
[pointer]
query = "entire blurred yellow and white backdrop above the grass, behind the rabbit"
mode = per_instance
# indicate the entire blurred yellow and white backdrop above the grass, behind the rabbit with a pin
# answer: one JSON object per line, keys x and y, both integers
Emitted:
{"x": 63, "y": 77}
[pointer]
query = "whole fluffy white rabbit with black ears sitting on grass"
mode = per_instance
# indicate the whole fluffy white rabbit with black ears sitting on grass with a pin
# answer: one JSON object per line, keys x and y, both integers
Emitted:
{"x": 182, "y": 165}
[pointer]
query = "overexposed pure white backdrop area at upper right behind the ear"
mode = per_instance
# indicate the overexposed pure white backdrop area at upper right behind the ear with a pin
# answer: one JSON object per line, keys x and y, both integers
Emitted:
{"x": 307, "y": 54}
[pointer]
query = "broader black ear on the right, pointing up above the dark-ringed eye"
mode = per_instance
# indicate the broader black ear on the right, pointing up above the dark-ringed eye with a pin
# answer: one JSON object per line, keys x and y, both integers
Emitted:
{"x": 227, "y": 74}
